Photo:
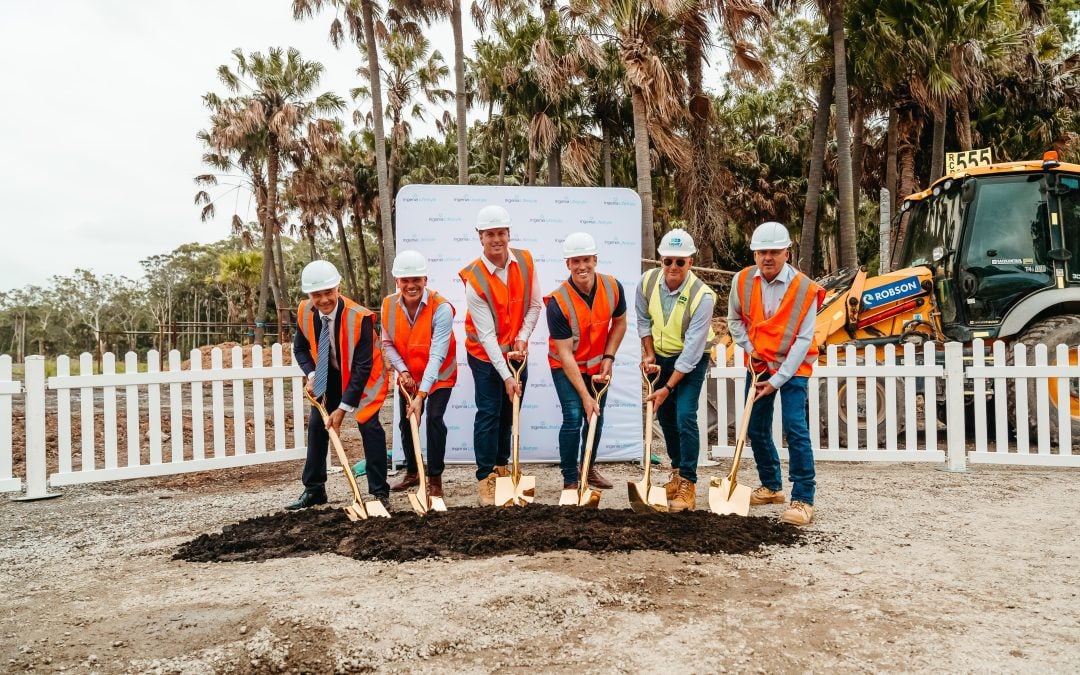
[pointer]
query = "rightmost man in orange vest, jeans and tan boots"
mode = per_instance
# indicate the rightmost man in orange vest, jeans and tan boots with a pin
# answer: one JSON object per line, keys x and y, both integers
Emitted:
{"x": 772, "y": 314}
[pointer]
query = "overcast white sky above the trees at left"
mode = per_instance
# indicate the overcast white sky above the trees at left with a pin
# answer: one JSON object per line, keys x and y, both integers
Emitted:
{"x": 102, "y": 102}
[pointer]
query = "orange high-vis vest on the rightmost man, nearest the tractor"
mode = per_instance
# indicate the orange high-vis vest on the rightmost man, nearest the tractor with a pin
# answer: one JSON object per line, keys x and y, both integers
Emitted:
{"x": 773, "y": 337}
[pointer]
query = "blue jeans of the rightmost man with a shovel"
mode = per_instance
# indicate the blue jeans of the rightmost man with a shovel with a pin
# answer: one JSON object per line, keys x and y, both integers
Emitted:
{"x": 793, "y": 396}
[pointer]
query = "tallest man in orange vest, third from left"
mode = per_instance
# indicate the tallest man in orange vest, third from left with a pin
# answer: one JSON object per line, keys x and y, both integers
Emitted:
{"x": 504, "y": 302}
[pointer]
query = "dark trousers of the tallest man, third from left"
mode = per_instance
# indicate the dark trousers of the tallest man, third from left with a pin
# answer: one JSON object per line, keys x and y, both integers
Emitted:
{"x": 495, "y": 417}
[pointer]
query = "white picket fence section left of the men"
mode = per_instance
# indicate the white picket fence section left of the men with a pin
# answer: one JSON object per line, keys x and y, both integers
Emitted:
{"x": 242, "y": 429}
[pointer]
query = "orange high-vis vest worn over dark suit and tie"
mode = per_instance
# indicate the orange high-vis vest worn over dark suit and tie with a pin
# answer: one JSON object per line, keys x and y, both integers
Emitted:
{"x": 349, "y": 327}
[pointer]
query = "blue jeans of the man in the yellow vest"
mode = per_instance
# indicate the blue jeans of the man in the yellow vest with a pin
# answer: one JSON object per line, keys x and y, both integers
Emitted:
{"x": 679, "y": 416}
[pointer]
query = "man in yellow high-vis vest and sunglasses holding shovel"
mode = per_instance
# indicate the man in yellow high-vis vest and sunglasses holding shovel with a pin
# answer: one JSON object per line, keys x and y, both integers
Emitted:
{"x": 674, "y": 321}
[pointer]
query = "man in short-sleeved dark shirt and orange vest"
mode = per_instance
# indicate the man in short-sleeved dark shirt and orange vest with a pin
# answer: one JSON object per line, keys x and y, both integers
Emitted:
{"x": 587, "y": 320}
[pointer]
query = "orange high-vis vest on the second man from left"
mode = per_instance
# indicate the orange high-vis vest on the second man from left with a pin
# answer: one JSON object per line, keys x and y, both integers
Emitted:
{"x": 413, "y": 342}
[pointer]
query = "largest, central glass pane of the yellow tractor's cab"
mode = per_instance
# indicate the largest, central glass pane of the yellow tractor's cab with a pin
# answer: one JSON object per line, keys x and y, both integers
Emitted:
{"x": 1007, "y": 241}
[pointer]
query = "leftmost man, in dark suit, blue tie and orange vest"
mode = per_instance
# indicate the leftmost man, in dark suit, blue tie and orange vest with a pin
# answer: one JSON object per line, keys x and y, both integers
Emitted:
{"x": 339, "y": 352}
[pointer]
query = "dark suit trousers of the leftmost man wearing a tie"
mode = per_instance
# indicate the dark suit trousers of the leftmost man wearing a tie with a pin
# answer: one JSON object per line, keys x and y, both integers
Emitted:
{"x": 371, "y": 433}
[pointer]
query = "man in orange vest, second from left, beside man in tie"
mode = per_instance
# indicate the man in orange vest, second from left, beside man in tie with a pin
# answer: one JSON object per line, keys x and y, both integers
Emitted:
{"x": 418, "y": 341}
